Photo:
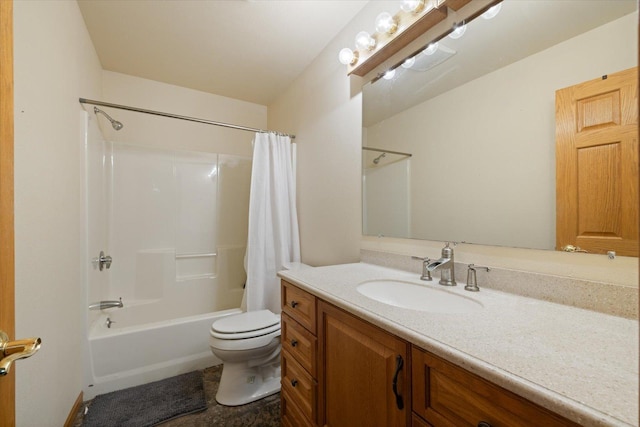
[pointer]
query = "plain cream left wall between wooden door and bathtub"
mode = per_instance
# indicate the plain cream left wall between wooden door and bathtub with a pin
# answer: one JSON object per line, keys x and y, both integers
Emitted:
{"x": 55, "y": 64}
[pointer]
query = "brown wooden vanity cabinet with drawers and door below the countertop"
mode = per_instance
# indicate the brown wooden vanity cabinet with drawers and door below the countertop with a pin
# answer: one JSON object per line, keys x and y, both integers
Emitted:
{"x": 339, "y": 370}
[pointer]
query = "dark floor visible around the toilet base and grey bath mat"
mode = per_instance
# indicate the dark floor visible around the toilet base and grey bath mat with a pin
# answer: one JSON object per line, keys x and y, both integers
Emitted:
{"x": 263, "y": 413}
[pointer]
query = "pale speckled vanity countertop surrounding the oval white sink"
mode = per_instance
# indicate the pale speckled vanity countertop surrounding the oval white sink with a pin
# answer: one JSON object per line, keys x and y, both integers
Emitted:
{"x": 575, "y": 362}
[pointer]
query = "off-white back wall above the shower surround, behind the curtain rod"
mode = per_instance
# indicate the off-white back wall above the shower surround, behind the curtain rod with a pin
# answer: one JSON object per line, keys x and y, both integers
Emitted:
{"x": 160, "y": 132}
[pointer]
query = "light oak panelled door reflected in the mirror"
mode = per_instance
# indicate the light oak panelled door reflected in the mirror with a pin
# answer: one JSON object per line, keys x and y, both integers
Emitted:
{"x": 597, "y": 164}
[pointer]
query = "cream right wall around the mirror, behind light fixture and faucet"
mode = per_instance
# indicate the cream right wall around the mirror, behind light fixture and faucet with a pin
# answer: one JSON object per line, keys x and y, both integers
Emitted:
{"x": 323, "y": 107}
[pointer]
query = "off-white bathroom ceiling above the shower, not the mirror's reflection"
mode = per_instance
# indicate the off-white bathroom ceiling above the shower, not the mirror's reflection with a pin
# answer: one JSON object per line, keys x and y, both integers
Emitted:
{"x": 244, "y": 49}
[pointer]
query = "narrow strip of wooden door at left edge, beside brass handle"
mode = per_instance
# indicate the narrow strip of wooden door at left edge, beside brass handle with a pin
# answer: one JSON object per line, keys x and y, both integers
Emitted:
{"x": 7, "y": 269}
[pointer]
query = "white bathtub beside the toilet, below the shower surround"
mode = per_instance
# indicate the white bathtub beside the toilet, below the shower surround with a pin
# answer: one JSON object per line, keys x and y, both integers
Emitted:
{"x": 129, "y": 353}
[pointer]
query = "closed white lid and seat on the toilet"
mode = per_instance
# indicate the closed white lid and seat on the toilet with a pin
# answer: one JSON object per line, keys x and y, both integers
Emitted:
{"x": 251, "y": 324}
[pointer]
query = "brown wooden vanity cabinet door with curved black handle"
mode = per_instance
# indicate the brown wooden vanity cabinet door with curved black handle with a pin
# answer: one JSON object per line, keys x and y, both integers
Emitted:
{"x": 365, "y": 373}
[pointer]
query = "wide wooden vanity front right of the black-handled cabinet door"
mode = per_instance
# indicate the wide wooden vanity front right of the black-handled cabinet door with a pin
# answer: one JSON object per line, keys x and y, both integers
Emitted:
{"x": 446, "y": 395}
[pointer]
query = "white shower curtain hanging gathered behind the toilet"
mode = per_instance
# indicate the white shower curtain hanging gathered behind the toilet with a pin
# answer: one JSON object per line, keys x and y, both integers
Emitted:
{"x": 273, "y": 221}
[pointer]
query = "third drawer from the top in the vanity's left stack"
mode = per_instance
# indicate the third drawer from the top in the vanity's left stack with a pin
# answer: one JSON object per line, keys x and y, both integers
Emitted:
{"x": 299, "y": 386}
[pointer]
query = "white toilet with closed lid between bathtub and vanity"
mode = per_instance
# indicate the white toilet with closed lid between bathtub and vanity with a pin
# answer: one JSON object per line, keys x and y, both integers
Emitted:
{"x": 249, "y": 346}
